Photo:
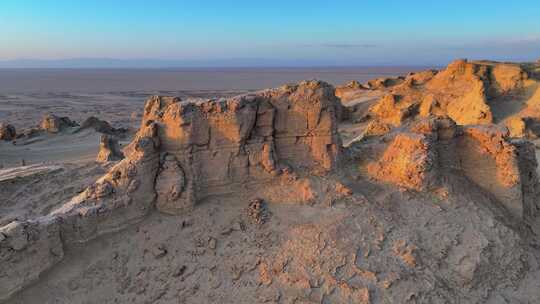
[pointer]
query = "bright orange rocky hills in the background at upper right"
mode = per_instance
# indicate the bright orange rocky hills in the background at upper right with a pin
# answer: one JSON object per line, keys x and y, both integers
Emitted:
{"x": 479, "y": 92}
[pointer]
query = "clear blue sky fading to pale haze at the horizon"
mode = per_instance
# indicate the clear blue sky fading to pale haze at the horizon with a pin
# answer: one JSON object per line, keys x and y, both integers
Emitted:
{"x": 266, "y": 33}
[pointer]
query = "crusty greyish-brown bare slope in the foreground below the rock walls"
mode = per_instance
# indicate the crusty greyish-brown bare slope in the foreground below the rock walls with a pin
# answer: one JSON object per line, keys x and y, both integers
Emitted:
{"x": 385, "y": 247}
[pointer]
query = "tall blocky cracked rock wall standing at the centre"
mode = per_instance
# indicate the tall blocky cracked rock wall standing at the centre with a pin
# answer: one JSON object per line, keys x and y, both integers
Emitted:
{"x": 214, "y": 147}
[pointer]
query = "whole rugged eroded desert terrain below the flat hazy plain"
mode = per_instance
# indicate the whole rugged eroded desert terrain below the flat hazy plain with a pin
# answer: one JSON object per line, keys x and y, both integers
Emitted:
{"x": 419, "y": 188}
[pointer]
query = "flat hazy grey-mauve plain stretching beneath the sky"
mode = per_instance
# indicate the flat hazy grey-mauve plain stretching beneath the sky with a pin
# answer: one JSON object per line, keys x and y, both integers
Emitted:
{"x": 15, "y": 81}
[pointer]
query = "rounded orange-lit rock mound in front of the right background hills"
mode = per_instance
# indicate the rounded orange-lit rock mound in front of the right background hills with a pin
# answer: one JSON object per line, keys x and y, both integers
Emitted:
{"x": 422, "y": 155}
